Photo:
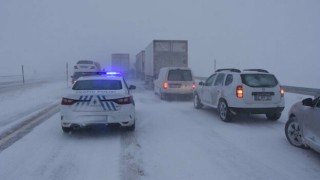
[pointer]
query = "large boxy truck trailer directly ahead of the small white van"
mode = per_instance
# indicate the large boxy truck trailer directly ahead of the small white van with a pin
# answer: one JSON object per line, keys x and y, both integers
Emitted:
{"x": 164, "y": 53}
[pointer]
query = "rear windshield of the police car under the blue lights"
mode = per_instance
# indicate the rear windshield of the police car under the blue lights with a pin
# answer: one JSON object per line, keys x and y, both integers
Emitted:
{"x": 97, "y": 85}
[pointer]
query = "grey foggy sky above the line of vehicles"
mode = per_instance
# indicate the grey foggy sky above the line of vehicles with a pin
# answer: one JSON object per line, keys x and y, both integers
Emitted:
{"x": 281, "y": 36}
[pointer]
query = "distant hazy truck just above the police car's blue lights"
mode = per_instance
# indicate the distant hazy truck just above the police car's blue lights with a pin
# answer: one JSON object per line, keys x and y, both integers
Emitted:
{"x": 121, "y": 62}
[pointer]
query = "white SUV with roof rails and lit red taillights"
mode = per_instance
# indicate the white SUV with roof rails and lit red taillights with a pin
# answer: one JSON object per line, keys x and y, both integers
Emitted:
{"x": 251, "y": 91}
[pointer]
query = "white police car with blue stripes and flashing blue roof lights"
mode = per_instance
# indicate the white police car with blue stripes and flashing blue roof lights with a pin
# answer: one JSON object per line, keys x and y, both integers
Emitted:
{"x": 100, "y": 99}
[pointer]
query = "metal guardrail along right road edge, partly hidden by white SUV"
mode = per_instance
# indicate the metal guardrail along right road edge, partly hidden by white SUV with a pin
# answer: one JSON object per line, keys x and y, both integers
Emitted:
{"x": 289, "y": 89}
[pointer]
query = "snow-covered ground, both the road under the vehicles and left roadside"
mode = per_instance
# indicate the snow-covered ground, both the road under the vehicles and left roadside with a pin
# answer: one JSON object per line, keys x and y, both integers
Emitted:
{"x": 172, "y": 140}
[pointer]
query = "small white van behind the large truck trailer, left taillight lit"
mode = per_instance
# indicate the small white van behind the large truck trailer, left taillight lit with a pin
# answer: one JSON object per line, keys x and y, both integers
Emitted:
{"x": 174, "y": 81}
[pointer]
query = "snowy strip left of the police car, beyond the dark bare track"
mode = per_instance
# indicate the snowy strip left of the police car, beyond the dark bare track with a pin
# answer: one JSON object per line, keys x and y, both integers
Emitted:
{"x": 23, "y": 102}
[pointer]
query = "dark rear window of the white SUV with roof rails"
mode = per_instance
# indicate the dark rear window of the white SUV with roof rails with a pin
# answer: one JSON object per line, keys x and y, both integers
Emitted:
{"x": 259, "y": 80}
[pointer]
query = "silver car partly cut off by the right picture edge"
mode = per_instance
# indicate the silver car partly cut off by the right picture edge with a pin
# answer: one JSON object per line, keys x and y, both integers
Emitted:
{"x": 303, "y": 127}
